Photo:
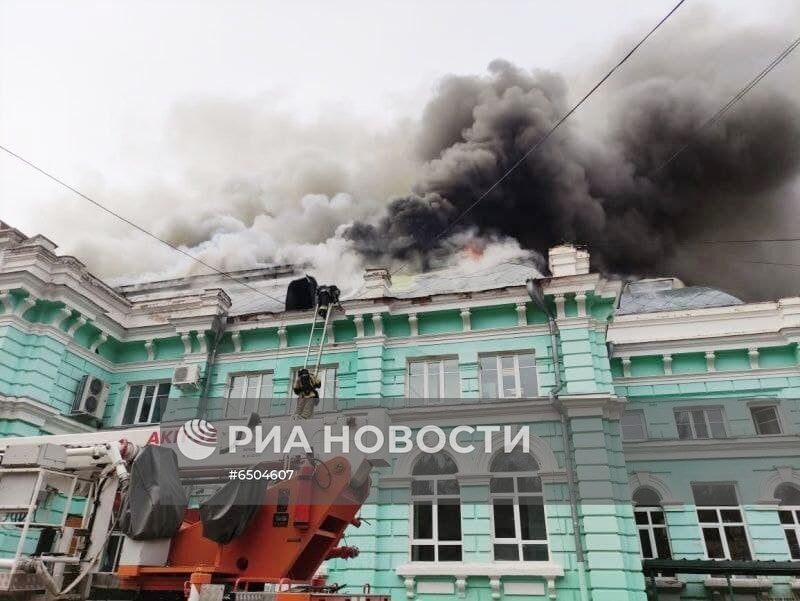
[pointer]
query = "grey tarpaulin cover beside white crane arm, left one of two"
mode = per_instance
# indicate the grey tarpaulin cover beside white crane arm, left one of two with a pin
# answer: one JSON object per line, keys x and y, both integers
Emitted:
{"x": 156, "y": 500}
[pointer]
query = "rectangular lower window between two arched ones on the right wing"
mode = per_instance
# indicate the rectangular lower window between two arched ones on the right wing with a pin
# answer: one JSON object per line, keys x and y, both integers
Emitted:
{"x": 721, "y": 522}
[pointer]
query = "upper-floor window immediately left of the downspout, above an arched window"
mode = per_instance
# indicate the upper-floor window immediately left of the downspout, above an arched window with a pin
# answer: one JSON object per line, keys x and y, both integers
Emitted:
{"x": 508, "y": 376}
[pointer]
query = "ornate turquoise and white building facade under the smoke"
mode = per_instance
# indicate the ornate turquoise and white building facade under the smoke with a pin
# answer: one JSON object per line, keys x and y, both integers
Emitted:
{"x": 672, "y": 428}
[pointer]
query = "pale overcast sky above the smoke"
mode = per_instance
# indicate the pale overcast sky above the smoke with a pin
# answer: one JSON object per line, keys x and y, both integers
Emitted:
{"x": 87, "y": 88}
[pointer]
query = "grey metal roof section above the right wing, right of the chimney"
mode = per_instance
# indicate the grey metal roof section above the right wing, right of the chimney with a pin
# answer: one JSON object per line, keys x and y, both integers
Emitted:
{"x": 669, "y": 294}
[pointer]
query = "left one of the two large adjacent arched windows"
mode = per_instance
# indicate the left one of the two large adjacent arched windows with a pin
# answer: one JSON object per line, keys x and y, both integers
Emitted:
{"x": 436, "y": 508}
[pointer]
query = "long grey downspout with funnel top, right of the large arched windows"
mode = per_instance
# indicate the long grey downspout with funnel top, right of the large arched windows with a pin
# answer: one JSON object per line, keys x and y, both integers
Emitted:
{"x": 536, "y": 294}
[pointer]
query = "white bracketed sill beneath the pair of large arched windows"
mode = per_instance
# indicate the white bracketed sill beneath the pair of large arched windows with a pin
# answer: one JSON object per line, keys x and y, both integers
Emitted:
{"x": 493, "y": 570}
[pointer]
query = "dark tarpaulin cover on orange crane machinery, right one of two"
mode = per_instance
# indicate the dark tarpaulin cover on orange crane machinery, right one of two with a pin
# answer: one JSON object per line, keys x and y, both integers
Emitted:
{"x": 227, "y": 513}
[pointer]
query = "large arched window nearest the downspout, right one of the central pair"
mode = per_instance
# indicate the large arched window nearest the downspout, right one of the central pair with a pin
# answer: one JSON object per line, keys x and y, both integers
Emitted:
{"x": 519, "y": 528}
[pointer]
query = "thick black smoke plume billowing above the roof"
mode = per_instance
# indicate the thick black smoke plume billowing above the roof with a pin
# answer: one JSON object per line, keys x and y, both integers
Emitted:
{"x": 612, "y": 189}
